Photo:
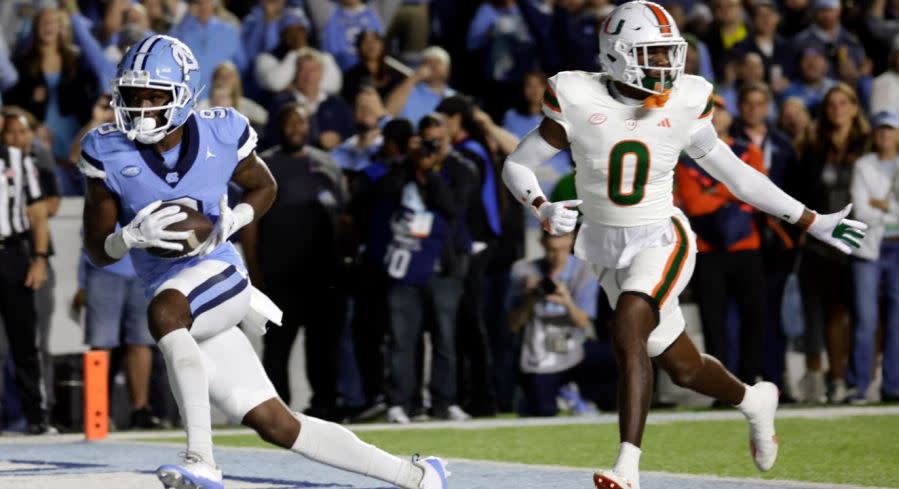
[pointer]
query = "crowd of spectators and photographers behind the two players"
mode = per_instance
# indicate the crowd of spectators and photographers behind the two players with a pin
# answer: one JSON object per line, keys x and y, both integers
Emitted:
{"x": 368, "y": 249}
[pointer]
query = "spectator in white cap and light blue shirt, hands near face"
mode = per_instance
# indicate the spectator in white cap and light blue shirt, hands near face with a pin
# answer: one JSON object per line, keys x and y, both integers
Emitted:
{"x": 420, "y": 94}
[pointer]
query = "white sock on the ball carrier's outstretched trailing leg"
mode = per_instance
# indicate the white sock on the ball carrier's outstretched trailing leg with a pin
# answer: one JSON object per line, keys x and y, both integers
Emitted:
{"x": 334, "y": 445}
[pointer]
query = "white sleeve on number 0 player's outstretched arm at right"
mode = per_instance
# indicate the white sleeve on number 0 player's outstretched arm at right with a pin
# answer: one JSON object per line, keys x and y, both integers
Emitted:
{"x": 746, "y": 183}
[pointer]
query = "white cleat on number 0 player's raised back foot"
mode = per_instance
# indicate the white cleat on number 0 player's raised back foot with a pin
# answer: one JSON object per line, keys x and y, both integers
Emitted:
{"x": 762, "y": 437}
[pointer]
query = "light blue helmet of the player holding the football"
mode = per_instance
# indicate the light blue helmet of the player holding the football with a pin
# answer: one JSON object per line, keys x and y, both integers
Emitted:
{"x": 159, "y": 62}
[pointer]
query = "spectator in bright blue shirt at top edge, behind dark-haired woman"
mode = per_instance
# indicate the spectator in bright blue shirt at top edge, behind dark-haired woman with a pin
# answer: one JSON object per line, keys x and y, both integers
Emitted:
{"x": 338, "y": 36}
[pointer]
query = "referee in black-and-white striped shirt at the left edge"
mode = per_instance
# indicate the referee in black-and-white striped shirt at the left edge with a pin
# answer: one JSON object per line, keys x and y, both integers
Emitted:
{"x": 24, "y": 242}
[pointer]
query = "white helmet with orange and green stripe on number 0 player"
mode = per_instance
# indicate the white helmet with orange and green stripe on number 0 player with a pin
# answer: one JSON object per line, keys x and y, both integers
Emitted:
{"x": 632, "y": 28}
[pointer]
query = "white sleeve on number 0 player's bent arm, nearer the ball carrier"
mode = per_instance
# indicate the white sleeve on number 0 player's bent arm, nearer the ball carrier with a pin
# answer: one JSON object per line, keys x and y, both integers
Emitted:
{"x": 518, "y": 170}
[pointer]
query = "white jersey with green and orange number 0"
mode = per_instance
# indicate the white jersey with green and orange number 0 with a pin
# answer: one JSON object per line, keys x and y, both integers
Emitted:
{"x": 625, "y": 155}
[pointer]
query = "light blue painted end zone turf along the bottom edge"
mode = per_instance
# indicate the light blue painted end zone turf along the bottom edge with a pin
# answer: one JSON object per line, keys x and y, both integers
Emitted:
{"x": 274, "y": 469}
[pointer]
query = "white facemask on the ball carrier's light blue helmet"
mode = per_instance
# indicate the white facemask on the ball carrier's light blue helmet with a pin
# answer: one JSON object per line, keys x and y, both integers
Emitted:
{"x": 139, "y": 122}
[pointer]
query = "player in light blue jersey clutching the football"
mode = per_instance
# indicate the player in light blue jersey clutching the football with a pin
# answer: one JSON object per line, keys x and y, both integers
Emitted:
{"x": 159, "y": 151}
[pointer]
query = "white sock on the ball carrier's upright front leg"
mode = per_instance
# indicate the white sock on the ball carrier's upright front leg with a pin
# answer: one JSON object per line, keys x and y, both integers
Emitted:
{"x": 187, "y": 377}
